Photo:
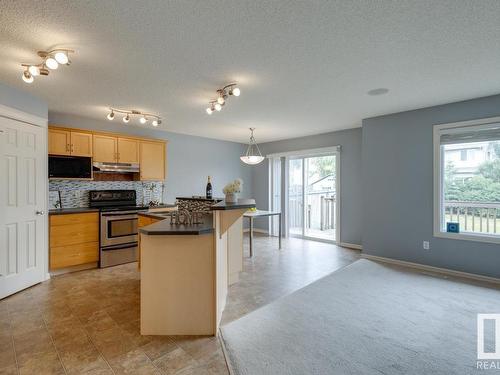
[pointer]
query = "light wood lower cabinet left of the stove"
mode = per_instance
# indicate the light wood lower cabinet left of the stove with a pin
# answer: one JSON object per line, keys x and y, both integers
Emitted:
{"x": 74, "y": 239}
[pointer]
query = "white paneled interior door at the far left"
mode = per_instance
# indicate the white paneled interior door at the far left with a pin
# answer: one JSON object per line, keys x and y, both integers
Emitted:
{"x": 23, "y": 205}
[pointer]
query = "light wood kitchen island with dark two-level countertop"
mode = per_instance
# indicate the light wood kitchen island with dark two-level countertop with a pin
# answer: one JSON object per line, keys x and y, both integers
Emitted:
{"x": 186, "y": 270}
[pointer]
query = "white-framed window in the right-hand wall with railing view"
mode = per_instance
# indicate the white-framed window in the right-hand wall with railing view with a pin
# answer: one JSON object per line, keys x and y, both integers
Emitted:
{"x": 467, "y": 188}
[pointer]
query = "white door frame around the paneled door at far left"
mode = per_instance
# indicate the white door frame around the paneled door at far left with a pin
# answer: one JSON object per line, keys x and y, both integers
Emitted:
{"x": 42, "y": 122}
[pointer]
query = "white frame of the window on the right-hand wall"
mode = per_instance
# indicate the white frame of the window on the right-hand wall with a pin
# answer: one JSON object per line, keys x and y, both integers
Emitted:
{"x": 438, "y": 180}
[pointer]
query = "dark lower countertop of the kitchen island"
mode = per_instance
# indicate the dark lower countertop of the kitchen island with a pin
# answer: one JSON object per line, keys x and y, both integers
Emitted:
{"x": 164, "y": 227}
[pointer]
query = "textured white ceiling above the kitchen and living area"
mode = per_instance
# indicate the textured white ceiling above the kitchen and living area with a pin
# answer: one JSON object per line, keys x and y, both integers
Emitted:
{"x": 304, "y": 67}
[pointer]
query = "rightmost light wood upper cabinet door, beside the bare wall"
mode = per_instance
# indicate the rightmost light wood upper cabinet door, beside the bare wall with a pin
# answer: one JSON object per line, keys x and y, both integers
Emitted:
{"x": 152, "y": 161}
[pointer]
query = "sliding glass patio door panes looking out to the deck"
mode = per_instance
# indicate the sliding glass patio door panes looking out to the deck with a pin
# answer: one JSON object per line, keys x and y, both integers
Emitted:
{"x": 312, "y": 195}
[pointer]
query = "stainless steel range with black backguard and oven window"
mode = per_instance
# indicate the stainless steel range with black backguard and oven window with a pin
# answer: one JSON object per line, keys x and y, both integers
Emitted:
{"x": 118, "y": 225}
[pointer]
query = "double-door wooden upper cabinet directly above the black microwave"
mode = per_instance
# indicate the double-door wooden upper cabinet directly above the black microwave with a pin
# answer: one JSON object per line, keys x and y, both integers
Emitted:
{"x": 67, "y": 142}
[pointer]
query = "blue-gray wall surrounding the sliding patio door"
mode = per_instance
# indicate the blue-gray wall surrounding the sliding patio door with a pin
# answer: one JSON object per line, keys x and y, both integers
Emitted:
{"x": 350, "y": 176}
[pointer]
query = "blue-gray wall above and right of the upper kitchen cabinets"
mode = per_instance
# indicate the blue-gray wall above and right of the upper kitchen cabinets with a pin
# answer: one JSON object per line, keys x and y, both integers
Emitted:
{"x": 190, "y": 159}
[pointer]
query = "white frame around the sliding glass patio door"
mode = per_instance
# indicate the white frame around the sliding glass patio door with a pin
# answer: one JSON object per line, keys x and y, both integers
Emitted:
{"x": 323, "y": 151}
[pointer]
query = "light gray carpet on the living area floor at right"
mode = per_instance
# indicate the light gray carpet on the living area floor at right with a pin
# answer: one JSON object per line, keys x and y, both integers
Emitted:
{"x": 367, "y": 318}
